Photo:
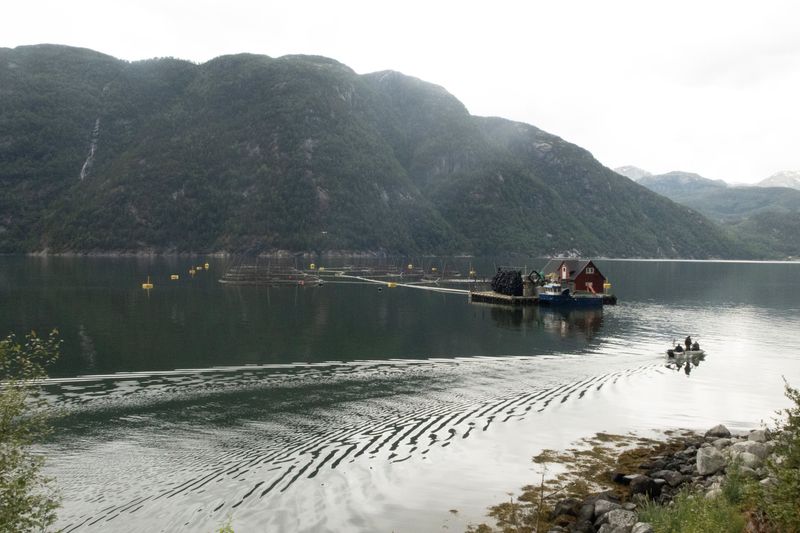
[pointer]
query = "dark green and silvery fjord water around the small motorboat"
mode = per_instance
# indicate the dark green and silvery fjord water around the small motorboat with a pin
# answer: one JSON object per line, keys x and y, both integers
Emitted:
{"x": 345, "y": 408}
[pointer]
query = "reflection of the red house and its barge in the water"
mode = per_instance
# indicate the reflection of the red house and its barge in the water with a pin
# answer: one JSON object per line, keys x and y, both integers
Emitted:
{"x": 565, "y": 322}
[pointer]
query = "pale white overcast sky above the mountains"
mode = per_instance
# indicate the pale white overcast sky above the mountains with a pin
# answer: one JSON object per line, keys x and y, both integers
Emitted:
{"x": 711, "y": 87}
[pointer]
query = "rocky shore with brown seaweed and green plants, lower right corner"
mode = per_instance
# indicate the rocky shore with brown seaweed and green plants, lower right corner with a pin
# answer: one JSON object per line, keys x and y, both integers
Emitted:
{"x": 714, "y": 482}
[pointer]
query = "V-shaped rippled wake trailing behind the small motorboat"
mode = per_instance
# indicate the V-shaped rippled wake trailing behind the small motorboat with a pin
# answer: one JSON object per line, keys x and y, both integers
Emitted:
{"x": 276, "y": 426}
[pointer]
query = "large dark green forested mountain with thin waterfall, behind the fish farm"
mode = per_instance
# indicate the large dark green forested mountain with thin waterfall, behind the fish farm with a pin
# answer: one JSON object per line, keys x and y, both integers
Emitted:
{"x": 247, "y": 153}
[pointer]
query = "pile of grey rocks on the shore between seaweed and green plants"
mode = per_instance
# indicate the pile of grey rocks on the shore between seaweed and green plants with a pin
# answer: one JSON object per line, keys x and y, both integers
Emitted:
{"x": 699, "y": 462}
